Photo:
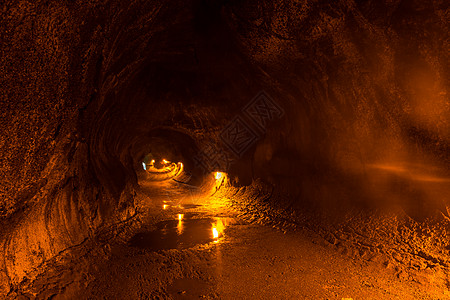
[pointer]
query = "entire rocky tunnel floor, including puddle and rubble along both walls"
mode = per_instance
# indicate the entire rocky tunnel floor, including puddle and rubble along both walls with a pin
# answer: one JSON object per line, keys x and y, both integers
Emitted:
{"x": 255, "y": 257}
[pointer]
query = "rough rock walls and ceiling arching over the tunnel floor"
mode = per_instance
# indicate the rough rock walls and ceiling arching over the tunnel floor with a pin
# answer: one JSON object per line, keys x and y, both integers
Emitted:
{"x": 363, "y": 86}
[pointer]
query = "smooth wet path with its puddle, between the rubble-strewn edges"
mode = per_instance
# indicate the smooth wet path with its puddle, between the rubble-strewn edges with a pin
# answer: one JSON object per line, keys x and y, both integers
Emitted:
{"x": 200, "y": 249}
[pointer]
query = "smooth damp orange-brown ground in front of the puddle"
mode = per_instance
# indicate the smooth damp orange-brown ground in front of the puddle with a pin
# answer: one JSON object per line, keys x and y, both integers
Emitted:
{"x": 252, "y": 262}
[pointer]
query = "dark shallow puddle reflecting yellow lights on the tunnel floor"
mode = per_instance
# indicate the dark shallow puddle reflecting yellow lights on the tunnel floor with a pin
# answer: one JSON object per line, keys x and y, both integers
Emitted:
{"x": 181, "y": 234}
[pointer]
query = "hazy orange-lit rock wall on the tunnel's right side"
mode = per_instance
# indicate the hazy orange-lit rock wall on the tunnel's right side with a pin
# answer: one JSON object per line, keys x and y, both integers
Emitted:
{"x": 365, "y": 90}
